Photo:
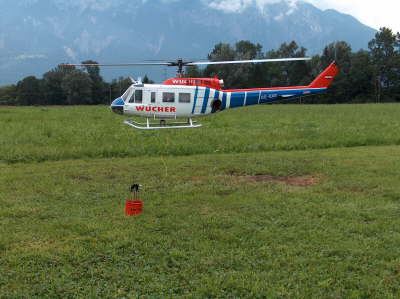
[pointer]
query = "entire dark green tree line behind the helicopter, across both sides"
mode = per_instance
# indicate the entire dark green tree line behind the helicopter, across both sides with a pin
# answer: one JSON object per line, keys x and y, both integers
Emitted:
{"x": 371, "y": 75}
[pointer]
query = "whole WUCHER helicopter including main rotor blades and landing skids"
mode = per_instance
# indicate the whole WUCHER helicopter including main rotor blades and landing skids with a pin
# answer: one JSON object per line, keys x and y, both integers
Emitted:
{"x": 162, "y": 105}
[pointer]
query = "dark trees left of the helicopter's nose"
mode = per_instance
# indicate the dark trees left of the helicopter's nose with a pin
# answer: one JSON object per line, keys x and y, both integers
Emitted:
{"x": 66, "y": 85}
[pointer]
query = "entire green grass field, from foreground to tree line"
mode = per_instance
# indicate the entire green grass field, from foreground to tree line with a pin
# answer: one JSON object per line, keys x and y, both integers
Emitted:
{"x": 269, "y": 201}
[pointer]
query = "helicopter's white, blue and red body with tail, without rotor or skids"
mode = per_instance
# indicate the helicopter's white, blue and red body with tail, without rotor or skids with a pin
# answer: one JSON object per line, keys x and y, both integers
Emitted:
{"x": 194, "y": 97}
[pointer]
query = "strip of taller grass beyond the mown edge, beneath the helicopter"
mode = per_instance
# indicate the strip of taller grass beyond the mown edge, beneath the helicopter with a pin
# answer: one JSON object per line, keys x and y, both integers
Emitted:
{"x": 58, "y": 133}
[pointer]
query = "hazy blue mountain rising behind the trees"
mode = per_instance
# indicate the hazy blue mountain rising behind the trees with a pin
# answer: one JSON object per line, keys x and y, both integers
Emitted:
{"x": 36, "y": 35}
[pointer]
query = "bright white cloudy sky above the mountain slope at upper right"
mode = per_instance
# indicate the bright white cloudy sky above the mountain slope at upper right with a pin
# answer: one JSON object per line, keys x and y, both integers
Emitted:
{"x": 372, "y": 13}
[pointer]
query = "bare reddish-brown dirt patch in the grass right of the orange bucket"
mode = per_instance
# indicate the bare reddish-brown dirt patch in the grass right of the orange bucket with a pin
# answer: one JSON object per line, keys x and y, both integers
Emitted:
{"x": 300, "y": 181}
